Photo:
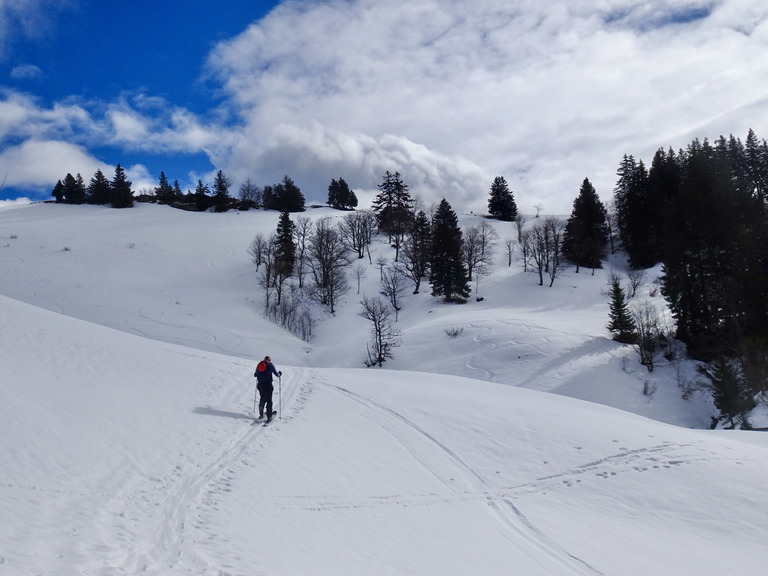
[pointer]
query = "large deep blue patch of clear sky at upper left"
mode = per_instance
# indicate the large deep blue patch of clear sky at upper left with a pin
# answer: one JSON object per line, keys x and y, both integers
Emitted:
{"x": 98, "y": 49}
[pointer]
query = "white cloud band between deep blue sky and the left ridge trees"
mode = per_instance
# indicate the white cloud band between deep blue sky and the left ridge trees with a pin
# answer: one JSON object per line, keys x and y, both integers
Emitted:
{"x": 43, "y": 143}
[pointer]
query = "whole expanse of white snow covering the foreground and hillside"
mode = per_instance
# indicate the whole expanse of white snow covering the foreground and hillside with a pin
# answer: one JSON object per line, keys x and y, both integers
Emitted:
{"x": 128, "y": 447}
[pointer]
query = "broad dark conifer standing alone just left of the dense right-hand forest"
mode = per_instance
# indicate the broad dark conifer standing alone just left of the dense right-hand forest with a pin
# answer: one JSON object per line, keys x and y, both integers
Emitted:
{"x": 586, "y": 232}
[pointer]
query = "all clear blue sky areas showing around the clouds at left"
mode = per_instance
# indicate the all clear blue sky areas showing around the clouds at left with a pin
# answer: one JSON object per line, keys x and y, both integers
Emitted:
{"x": 95, "y": 53}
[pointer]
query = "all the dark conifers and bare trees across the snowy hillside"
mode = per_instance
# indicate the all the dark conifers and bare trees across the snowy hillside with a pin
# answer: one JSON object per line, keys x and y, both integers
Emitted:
{"x": 699, "y": 212}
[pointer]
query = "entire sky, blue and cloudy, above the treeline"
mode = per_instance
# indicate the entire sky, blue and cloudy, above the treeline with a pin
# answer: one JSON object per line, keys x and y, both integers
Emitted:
{"x": 449, "y": 94}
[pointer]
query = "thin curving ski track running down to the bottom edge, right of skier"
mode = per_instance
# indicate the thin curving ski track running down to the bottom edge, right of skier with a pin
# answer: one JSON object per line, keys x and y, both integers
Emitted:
{"x": 504, "y": 509}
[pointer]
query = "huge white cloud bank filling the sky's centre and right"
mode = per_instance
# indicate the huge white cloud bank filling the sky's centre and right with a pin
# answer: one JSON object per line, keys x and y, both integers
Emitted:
{"x": 454, "y": 93}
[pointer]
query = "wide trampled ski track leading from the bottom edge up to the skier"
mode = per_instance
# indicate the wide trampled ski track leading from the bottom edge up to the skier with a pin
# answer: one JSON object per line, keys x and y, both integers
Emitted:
{"x": 139, "y": 539}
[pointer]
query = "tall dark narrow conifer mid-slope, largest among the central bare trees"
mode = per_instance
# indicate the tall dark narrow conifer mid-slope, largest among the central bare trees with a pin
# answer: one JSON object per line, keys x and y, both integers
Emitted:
{"x": 448, "y": 274}
